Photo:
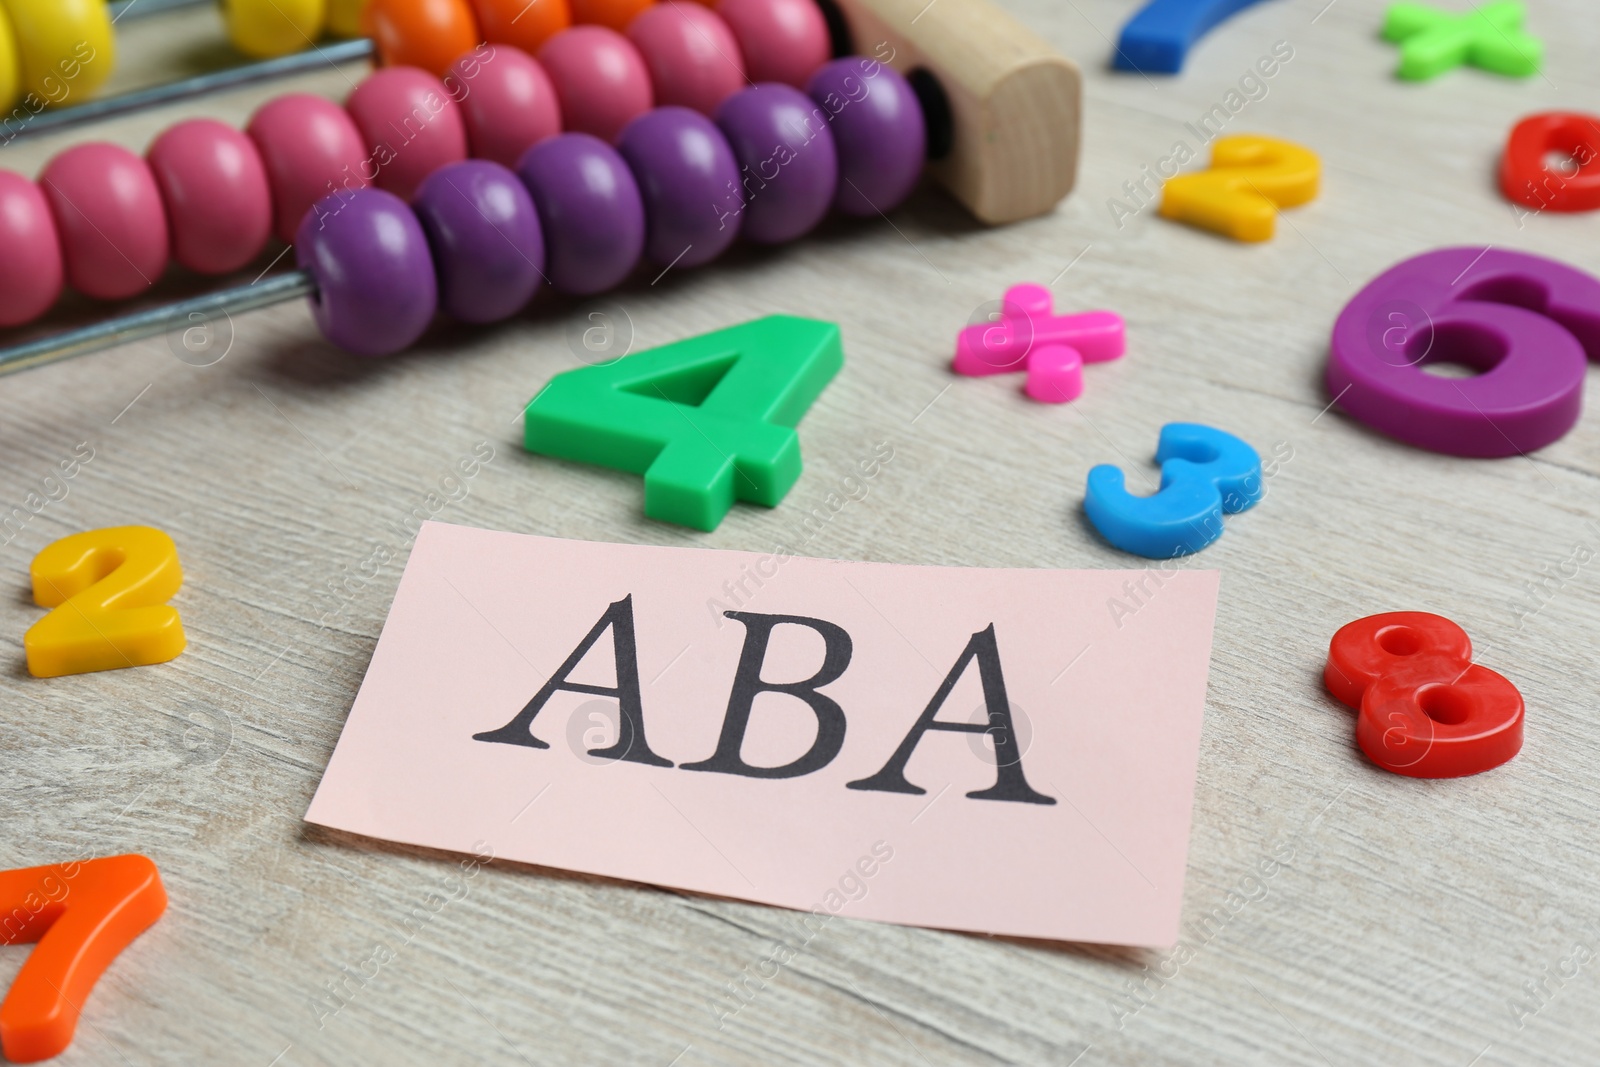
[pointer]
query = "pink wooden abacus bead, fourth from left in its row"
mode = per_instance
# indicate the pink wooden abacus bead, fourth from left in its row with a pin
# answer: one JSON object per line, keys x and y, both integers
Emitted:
{"x": 311, "y": 150}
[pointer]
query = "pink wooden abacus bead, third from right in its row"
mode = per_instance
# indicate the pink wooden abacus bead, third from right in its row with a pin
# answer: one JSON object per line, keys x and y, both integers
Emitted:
{"x": 599, "y": 78}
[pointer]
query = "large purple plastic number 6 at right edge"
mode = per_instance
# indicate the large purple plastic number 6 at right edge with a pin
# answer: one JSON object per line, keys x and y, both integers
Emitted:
{"x": 1524, "y": 322}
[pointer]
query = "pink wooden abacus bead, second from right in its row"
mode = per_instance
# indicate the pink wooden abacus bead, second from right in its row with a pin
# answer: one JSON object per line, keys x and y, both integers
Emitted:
{"x": 692, "y": 55}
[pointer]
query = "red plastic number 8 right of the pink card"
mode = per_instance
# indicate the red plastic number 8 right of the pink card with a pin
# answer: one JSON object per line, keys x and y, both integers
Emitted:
{"x": 1423, "y": 708}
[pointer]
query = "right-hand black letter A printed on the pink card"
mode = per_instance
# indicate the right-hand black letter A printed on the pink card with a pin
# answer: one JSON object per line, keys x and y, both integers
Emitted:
{"x": 1010, "y": 783}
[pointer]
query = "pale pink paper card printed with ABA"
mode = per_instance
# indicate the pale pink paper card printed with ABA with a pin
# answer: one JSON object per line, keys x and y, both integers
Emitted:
{"x": 999, "y": 751}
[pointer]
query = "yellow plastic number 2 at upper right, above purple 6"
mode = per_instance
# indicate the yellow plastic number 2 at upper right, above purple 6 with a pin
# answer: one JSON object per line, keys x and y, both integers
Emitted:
{"x": 1249, "y": 182}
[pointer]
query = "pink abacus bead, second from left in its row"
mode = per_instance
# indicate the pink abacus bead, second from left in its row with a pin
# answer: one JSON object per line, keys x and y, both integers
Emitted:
{"x": 110, "y": 217}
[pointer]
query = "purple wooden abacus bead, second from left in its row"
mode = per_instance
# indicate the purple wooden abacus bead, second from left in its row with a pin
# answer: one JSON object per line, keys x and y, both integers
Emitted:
{"x": 486, "y": 236}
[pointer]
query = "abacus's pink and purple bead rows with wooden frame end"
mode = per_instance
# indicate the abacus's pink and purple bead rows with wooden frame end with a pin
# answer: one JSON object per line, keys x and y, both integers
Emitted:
{"x": 575, "y": 206}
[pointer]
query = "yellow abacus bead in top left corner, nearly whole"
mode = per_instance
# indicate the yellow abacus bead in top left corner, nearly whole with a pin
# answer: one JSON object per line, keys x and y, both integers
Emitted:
{"x": 66, "y": 47}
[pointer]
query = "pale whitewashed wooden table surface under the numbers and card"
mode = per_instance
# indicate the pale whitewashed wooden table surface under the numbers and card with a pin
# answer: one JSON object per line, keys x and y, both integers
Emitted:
{"x": 1404, "y": 922}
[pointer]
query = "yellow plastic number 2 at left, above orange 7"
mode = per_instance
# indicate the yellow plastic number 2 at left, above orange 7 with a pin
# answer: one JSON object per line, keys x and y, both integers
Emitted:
{"x": 110, "y": 591}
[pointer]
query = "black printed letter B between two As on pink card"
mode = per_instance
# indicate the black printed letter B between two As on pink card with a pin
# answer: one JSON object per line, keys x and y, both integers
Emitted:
{"x": 748, "y": 684}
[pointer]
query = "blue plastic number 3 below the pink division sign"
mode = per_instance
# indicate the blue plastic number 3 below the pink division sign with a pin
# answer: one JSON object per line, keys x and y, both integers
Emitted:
{"x": 1206, "y": 473}
